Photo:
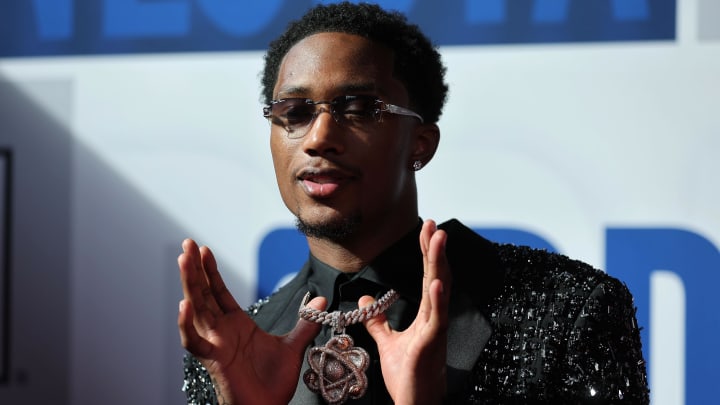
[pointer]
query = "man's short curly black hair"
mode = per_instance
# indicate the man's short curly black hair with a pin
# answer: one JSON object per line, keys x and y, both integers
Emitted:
{"x": 417, "y": 62}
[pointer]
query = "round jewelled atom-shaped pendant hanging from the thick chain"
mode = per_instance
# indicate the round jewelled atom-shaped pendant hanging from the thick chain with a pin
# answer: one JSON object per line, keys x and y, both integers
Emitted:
{"x": 337, "y": 370}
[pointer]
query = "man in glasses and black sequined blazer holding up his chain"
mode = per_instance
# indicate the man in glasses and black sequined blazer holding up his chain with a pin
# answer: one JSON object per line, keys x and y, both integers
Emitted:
{"x": 353, "y": 95}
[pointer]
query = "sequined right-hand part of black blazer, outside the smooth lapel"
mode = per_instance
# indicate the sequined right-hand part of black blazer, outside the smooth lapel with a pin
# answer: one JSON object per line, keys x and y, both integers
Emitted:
{"x": 562, "y": 330}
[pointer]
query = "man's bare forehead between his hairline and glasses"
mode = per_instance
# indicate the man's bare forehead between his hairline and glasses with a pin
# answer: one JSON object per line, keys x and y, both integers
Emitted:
{"x": 336, "y": 63}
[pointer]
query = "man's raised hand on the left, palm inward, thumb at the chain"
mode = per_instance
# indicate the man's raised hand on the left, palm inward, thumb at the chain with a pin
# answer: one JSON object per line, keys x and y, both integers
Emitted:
{"x": 246, "y": 364}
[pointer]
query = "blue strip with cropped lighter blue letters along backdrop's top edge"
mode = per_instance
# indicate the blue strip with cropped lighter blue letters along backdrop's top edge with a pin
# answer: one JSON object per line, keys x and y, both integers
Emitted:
{"x": 68, "y": 27}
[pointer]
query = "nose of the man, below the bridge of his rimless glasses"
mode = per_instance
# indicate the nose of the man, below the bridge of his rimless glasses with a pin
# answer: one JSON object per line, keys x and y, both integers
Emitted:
{"x": 325, "y": 135}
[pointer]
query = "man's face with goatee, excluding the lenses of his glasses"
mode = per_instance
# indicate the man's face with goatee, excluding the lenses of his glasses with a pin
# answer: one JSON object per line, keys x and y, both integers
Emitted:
{"x": 336, "y": 174}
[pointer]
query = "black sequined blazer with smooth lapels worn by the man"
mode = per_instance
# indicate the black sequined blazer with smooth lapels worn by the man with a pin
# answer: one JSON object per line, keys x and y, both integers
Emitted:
{"x": 526, "y": 326}
